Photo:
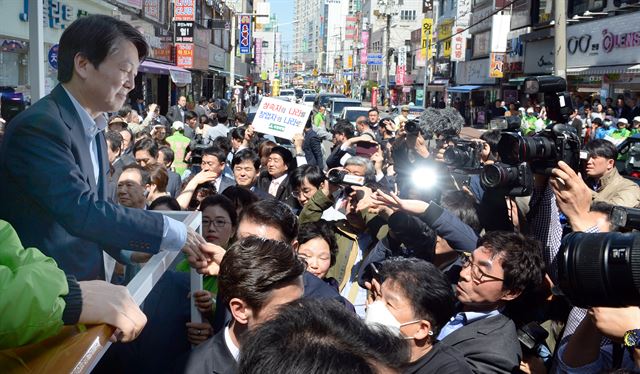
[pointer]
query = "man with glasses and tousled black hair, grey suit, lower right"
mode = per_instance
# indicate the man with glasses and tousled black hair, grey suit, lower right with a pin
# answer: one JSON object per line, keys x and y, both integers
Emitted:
{"x": 506, "y": 266}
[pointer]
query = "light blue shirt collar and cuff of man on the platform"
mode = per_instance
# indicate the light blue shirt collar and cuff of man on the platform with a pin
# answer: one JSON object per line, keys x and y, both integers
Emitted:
{"x": 174, "y": 233}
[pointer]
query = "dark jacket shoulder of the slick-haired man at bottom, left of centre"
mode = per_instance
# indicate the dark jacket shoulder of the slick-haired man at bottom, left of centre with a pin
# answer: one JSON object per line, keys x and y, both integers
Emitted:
{"x": 212, "y": 356}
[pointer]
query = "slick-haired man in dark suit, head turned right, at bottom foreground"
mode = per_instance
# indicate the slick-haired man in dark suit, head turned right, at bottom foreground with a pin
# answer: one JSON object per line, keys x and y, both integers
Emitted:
{"x": 256, "y": 277}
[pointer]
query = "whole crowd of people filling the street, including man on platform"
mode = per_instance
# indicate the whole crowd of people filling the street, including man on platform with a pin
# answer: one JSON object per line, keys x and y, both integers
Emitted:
{"x": 364, "y": 256}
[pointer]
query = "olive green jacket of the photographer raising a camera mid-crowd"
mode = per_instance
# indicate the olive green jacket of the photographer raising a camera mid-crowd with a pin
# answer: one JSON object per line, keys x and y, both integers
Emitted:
{"x": 346, "y": 236}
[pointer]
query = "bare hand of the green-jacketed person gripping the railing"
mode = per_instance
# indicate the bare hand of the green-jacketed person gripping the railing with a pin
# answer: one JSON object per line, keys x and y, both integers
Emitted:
{"x": 103, "y": 302}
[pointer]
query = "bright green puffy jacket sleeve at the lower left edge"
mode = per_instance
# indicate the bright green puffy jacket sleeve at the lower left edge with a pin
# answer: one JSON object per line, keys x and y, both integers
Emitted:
{"x": 32, "y": 288}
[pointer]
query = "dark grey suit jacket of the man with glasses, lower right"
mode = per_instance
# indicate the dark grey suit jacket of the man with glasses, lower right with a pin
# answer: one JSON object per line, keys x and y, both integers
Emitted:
{"x": 489, "y": 345}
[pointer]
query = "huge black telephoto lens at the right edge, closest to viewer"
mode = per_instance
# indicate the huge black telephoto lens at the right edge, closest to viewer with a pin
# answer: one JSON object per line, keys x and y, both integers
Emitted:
{"x": 600, "y": 269}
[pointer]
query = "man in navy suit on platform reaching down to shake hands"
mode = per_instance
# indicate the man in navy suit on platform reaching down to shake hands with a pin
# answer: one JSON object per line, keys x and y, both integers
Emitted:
{"x": 54, "y": 164}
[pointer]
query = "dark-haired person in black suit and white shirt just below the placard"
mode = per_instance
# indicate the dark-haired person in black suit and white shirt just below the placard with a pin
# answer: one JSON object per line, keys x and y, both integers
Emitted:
{"x": 275, "y": 180}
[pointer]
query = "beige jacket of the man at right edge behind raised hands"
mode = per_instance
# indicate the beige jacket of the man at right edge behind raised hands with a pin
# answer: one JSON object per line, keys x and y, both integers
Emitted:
{"x": 617, "y": 190}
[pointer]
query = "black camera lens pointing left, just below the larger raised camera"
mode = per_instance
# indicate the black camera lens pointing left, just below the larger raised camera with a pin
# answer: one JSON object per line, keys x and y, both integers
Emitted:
{"x": 512, "y": 180}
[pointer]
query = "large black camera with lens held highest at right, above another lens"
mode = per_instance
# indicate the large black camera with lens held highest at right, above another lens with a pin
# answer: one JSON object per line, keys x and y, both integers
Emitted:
{"x": 543, "y": 150}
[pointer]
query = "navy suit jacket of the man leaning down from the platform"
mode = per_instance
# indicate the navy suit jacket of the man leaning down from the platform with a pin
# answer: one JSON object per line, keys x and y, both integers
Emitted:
{"x": 49, "y": 195}
